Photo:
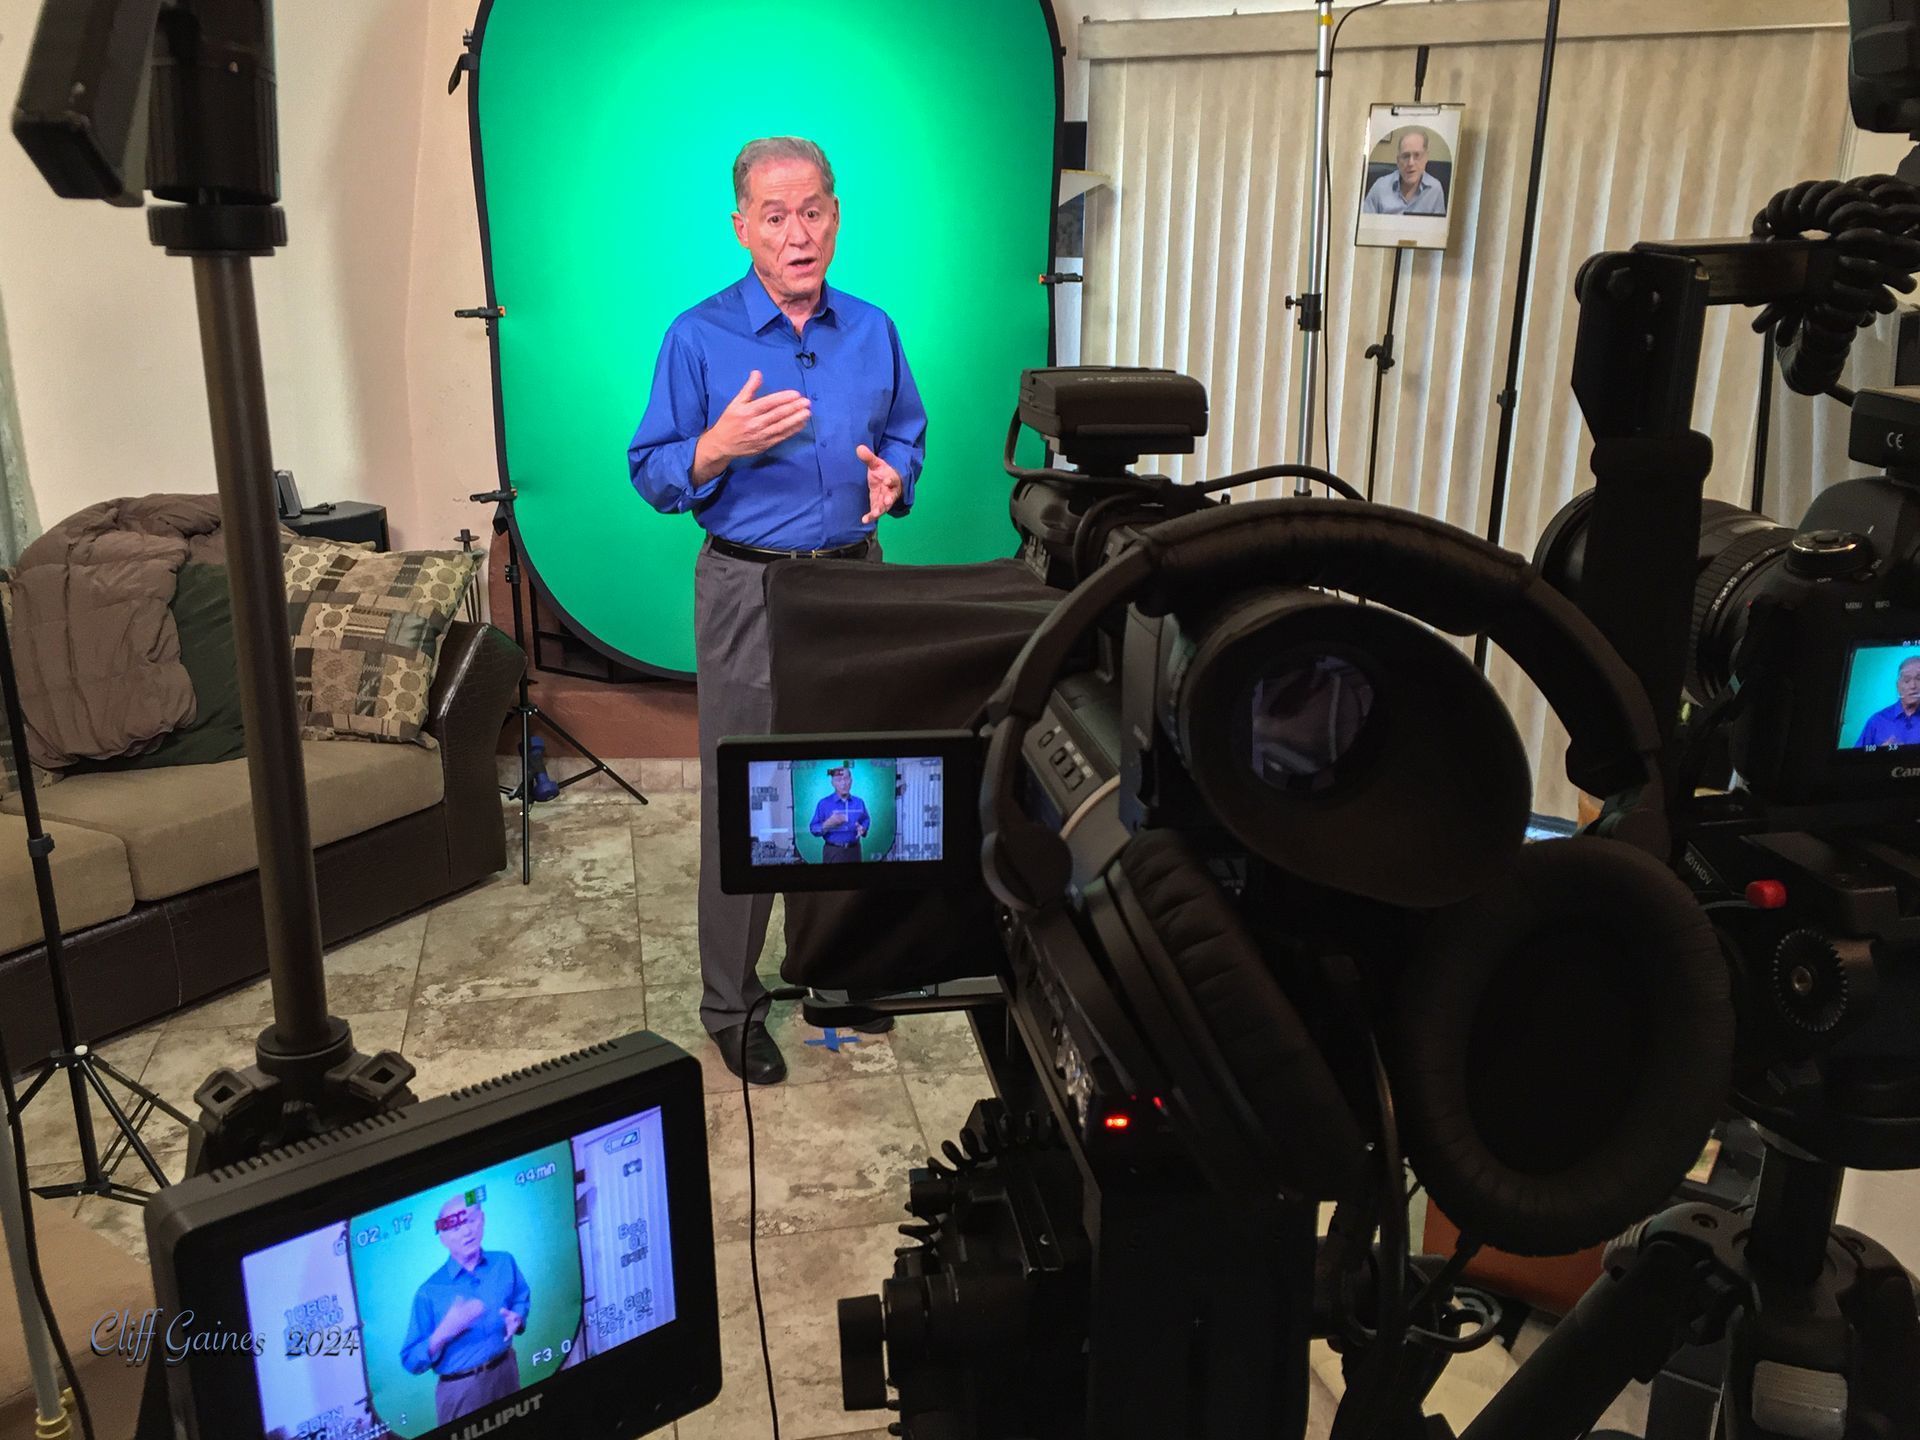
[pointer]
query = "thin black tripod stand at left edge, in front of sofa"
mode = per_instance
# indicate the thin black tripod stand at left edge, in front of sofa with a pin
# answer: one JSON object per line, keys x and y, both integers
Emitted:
{"x": 82, "y": 1067}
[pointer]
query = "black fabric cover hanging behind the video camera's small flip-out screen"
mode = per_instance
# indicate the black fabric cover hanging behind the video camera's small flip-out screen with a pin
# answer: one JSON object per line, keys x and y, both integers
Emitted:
{"x": 876, "y": 648}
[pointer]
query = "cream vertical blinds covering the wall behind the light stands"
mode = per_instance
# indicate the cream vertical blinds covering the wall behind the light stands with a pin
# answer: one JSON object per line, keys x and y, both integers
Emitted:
{"x": 1201, "y": 237}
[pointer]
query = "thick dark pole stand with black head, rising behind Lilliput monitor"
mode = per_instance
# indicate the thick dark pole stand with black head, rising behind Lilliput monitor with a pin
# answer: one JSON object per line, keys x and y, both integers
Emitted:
{"x": 178, "y": 99}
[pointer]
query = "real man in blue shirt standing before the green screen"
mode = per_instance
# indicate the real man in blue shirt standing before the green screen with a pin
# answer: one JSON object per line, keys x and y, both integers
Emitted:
{"x": 804, "y": 469}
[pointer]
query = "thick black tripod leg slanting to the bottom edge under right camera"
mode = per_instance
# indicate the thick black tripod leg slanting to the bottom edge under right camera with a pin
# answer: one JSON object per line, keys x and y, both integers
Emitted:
{"x": 1623, "y": 1330}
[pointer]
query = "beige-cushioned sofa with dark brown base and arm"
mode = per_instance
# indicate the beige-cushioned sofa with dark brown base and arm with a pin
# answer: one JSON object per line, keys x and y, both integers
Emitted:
{"x": 156, "y": 873}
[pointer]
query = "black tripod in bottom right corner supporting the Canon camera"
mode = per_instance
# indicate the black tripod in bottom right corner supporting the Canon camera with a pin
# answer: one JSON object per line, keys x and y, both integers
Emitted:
{"x": 1821, "y": 1324}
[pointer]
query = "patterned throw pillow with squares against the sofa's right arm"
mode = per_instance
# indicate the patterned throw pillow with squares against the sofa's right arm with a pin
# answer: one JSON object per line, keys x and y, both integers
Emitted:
{"x": 368, "y": 635}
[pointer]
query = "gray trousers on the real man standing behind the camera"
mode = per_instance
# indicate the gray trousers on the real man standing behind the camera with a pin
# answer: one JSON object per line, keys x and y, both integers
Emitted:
{"x": 736, "y": 698}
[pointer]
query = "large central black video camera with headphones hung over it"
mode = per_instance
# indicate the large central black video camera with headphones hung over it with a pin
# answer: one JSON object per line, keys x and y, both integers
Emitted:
{"x": 1270, "y": 926}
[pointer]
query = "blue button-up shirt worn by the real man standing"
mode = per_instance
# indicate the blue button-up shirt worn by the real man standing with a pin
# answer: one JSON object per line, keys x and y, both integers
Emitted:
{"x": 807, "y": 492}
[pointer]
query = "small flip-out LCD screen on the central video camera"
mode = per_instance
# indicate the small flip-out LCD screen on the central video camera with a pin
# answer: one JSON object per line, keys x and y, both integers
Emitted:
{"x": 850, "y": 811}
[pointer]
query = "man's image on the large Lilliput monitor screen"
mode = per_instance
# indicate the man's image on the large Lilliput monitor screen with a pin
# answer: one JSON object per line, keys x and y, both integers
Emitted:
{"x": 466, "y": 1316}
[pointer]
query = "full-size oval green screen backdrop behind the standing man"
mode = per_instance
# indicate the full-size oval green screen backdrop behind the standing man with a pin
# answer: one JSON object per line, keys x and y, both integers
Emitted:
{"x": 604, "y": 141}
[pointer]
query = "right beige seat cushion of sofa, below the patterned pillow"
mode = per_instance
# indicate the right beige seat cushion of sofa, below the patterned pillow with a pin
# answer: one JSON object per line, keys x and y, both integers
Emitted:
{"x": 189, "y": 827}
